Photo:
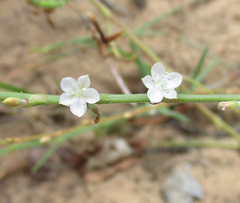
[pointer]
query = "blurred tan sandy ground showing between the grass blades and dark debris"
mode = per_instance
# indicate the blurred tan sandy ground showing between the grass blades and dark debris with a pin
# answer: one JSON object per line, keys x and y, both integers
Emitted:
{"x": 213, "y": 23}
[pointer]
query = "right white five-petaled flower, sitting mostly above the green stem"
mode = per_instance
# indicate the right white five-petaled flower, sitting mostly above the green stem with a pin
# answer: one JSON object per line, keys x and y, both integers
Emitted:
{"x": 161, "y": 83}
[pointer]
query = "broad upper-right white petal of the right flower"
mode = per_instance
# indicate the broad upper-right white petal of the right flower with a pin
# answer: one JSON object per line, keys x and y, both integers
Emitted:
{"x": 172, "y": 80}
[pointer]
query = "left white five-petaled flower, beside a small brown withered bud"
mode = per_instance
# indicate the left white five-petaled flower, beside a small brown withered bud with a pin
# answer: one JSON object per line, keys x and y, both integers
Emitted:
{"x": 77, "y": 94}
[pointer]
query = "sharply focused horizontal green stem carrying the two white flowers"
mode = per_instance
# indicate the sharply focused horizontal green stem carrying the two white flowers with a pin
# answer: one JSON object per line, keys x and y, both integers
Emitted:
{"x": 38, "y": 99}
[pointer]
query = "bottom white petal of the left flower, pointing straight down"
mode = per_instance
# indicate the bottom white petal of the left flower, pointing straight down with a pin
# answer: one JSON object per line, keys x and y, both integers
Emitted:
{"x": 78, "y": 106}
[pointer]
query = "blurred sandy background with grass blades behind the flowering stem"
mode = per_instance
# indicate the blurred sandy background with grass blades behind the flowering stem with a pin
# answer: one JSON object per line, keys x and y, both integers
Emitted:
{"x": 174, "y": 153}
